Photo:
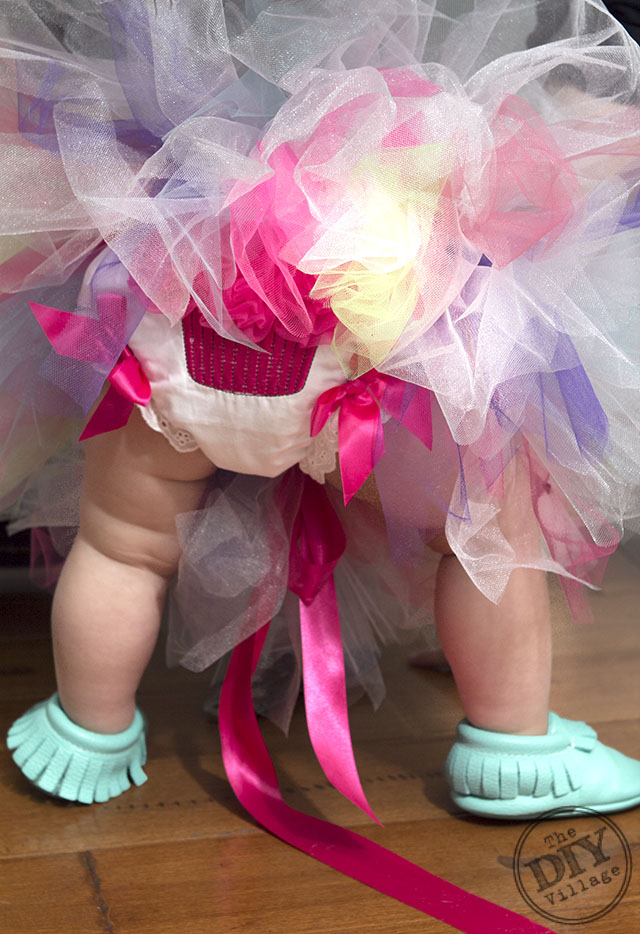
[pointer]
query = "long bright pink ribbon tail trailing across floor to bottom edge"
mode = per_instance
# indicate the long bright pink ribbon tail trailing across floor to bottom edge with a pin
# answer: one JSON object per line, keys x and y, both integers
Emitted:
{"x": 253, "y": 779}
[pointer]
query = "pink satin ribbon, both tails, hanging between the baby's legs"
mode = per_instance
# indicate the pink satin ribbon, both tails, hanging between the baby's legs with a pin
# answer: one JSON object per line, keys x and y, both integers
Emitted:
{"x": 317, "y": 544}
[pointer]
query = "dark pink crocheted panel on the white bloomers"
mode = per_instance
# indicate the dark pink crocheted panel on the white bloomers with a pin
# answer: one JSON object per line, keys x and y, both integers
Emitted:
{"x": 219, "y": 363}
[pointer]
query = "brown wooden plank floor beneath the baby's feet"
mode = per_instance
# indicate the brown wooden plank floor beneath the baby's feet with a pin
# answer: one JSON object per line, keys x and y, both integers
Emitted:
{"x": 179, "y": 856}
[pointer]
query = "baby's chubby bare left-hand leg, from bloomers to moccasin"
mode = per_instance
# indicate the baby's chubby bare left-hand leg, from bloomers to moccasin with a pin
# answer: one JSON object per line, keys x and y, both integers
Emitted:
{"x": 109, "y": 599}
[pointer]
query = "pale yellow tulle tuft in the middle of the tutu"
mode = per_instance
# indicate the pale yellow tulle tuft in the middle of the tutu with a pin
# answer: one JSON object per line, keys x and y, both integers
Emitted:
{"x": 394, "y": 196}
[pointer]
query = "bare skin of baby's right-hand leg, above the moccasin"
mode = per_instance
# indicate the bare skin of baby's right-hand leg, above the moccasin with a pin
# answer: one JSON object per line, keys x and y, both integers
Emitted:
{"x": 500, "y": 654}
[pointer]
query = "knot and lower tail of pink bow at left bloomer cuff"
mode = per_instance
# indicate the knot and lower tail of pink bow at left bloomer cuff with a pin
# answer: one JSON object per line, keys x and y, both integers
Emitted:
{"x": 129, "y": 387}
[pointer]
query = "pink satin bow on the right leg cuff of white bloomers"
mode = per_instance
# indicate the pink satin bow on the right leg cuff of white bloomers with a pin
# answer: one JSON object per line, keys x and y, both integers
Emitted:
{"x": 360, "y": 435}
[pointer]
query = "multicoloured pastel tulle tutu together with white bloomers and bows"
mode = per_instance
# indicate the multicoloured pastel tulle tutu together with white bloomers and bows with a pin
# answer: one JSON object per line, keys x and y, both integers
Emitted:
{"x": 425, "y": 215}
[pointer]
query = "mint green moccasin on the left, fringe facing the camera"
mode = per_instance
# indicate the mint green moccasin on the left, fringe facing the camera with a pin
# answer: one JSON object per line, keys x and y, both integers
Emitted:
{"x": 69, "y": 762}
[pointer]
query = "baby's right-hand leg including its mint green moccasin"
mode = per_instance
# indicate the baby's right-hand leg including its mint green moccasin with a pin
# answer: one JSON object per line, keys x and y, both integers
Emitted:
{"x": 513, "y": 758}
